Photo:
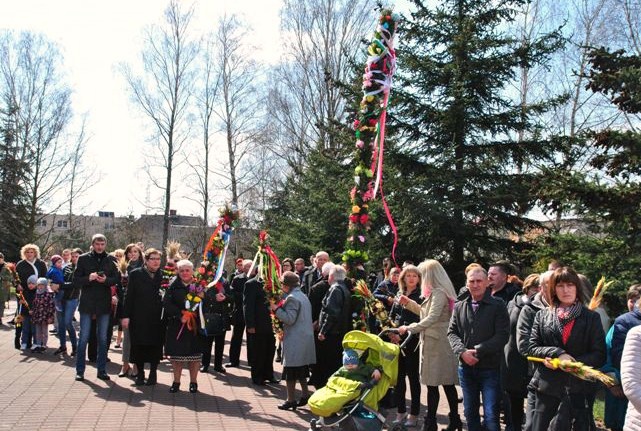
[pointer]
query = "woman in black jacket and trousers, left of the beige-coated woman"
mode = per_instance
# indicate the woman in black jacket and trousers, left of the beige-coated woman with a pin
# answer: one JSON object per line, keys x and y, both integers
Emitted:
{"x": 409, "y": 283}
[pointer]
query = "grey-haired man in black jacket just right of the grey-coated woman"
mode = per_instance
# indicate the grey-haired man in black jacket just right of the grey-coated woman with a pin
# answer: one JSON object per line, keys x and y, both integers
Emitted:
{"x": 334, "y": 322}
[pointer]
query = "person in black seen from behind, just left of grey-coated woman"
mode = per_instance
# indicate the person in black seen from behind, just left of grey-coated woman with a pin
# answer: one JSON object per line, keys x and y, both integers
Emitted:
{"x": 261, "y": 343}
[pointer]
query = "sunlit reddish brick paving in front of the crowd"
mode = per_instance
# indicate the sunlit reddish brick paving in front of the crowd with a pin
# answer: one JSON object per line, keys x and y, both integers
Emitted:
{"x": 38, "y": 391}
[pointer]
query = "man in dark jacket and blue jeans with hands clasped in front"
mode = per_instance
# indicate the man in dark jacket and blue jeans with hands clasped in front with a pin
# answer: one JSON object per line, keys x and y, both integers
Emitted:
{"x": 478, "y": 332}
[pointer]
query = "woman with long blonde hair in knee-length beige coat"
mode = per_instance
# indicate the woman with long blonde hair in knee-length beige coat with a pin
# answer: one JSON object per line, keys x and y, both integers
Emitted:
{"x": 438, "y": 362}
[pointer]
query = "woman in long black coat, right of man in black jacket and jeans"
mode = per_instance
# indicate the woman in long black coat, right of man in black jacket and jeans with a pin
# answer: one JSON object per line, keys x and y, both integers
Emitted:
{"x": 142, "y": 316}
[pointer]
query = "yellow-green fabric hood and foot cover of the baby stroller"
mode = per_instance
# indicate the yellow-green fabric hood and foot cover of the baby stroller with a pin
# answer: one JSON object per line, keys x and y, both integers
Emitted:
{"x": 339, "y": 390}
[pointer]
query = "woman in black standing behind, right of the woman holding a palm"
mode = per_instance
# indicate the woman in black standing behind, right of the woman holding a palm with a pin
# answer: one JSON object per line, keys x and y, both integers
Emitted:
{"x": 218, "y": 300}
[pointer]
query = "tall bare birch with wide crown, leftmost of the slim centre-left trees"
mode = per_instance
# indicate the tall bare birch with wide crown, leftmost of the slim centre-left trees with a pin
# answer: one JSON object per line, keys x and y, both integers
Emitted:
{"x": 162, "y": 91}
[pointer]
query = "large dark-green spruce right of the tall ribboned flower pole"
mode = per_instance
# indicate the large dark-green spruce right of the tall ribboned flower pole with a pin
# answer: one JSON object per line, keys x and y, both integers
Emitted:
{"x": 465, "y": 171}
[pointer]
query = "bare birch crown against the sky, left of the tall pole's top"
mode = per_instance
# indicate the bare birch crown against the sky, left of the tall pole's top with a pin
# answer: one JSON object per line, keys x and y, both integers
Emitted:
{"x": 322, "y": 42}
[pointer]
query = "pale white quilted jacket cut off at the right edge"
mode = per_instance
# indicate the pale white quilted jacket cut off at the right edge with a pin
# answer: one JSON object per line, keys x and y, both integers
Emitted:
{"x": 631, "y": 378}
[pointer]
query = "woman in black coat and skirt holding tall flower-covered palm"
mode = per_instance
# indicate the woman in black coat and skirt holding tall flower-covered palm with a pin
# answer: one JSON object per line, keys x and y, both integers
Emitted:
{"x": 182, "y": 345}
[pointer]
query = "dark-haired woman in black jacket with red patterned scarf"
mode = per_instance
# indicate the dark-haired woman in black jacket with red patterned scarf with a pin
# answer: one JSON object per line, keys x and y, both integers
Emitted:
{"x": 569, "y": 331}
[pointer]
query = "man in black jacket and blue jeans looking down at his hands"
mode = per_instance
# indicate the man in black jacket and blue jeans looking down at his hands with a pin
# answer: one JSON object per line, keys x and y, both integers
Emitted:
{"x": 95, "y": 274}
